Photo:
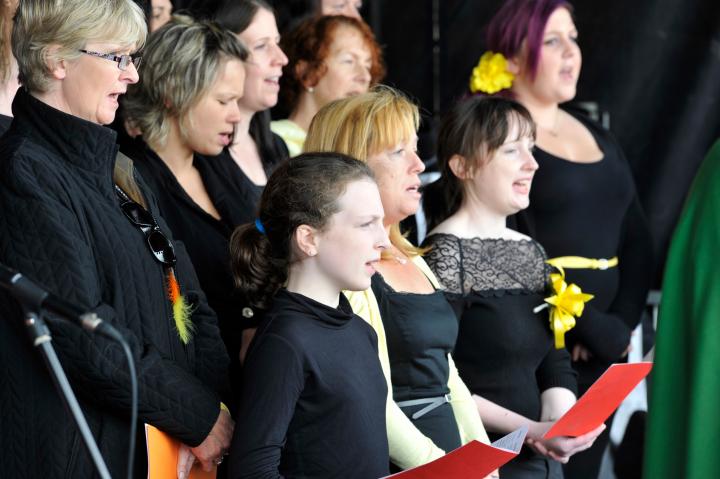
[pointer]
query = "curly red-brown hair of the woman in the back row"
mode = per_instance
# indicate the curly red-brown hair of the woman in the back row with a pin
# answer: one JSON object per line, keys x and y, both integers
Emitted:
{"x": 310, "y": 42}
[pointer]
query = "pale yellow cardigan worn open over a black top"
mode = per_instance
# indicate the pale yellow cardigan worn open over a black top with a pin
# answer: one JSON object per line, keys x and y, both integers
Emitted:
{"x": 408, "y": 446}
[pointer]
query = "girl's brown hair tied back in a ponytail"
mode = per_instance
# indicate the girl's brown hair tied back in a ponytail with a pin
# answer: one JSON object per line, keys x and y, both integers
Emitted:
{"x": 302, "y": 191}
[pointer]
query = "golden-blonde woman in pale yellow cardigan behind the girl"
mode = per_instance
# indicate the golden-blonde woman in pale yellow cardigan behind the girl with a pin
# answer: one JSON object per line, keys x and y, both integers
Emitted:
{"x": 429, "y": 410}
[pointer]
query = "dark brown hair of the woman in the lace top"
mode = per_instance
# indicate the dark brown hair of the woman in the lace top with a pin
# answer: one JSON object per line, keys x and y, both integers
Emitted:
{"x": 474, "y": 129}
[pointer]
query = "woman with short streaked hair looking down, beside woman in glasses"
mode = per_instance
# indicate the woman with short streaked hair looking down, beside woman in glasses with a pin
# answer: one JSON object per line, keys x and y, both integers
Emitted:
{"x": 186, "y": 105}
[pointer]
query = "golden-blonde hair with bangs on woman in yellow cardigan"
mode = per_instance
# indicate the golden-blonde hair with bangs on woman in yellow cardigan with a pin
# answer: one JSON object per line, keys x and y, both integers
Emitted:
{"x": 365, "y": 125}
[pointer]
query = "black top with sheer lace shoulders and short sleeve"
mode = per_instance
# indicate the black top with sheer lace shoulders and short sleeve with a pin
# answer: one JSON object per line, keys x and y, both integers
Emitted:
{"x": 504, "y": 351}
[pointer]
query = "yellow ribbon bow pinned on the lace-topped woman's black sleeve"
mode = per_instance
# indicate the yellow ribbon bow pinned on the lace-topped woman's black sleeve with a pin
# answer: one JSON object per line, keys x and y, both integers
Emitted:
{"x": 566, "y": 304}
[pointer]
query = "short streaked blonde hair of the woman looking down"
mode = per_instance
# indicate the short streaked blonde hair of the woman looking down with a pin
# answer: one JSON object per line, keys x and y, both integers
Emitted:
{"x": 183, "y": 59}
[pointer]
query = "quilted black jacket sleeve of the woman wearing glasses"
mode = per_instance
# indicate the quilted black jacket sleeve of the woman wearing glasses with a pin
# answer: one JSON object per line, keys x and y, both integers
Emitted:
{"x": 44, "y": 239}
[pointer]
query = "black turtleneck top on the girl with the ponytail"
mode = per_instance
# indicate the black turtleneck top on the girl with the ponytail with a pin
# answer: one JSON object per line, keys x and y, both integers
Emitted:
{"x": 314, "y": 398}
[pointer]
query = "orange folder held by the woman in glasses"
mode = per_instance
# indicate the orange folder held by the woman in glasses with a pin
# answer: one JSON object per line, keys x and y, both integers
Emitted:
{"x": 162, "y": 457}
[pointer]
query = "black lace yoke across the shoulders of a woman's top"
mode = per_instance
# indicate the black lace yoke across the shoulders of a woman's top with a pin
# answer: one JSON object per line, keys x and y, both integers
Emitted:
{"x": 482, "y": 265}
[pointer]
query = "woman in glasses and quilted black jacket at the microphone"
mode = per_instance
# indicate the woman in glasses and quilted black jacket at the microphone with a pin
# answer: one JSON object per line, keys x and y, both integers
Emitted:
{"x": 76, "y": 221}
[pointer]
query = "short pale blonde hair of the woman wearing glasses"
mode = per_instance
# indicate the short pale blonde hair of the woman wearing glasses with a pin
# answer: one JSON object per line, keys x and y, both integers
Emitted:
{"x": 56, "y": 30}
